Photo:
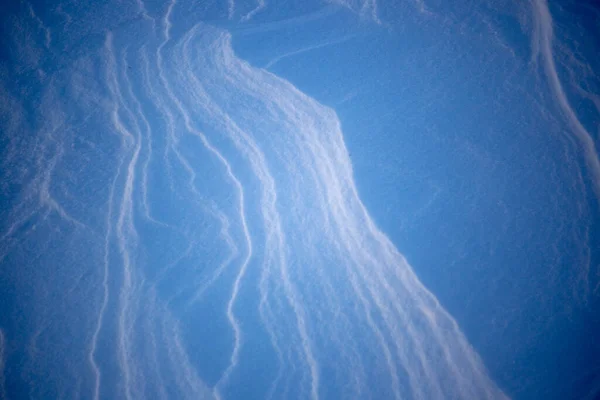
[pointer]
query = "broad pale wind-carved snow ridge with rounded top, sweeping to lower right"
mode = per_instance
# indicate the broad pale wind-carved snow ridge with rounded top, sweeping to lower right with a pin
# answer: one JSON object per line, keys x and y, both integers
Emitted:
{"x": 326, "y": 271}
